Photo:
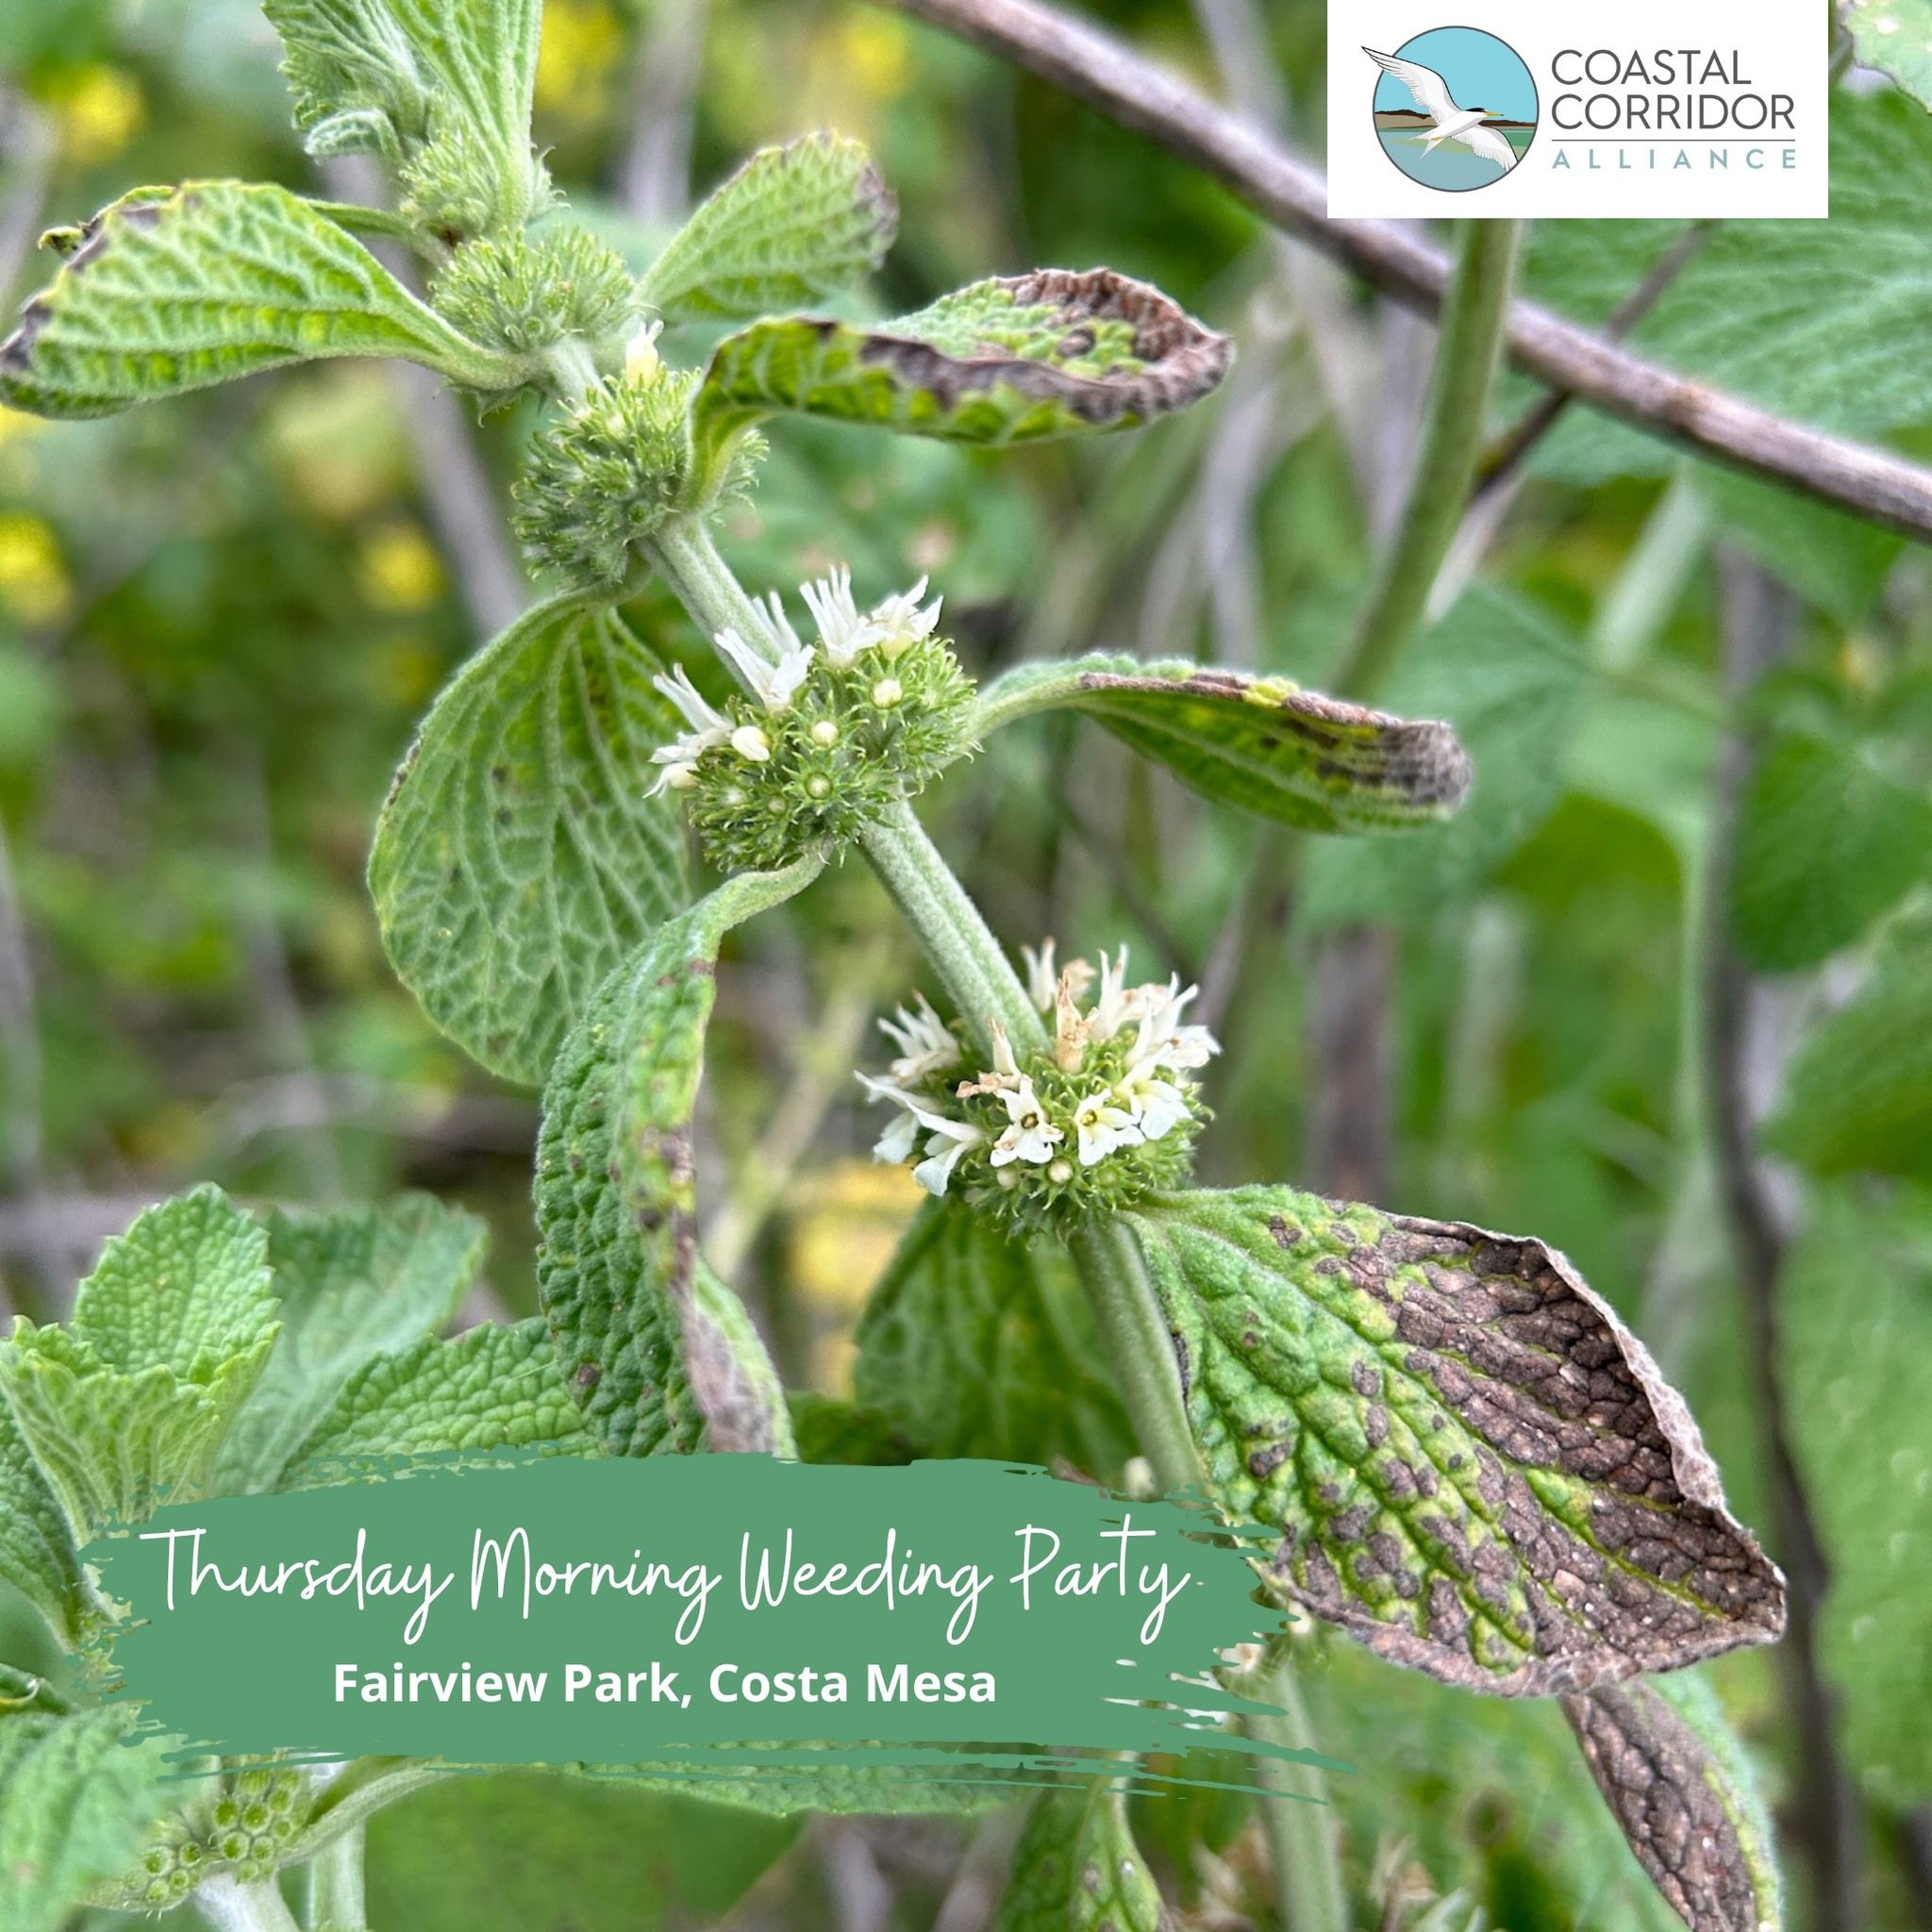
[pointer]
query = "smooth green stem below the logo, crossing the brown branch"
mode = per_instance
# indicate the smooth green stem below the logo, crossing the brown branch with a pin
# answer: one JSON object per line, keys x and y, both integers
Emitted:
{"x": 1452, "y": 440}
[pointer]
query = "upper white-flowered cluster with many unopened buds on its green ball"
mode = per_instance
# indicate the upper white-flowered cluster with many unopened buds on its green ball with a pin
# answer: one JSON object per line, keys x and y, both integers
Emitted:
{"x": 832, "y": 733}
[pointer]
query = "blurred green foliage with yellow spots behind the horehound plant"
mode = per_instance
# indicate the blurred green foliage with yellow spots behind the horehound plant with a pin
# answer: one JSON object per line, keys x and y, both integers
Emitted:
{"x": 221, "y": 621}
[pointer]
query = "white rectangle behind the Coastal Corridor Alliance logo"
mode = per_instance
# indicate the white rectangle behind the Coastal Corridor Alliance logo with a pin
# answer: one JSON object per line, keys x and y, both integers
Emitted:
{"x": 1711, "y": 167}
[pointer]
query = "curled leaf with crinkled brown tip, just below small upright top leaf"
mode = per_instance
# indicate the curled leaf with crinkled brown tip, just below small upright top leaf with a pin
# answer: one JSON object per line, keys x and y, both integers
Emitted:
{"x": 1002, "y": 362}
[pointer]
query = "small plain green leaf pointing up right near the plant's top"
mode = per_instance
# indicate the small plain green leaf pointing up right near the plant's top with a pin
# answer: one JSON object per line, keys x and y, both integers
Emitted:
{"x": 793, "y": 225}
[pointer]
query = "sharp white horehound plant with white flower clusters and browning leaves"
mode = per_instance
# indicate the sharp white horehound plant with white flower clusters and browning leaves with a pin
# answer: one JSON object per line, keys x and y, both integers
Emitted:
{"x": 1467, "y": 1462}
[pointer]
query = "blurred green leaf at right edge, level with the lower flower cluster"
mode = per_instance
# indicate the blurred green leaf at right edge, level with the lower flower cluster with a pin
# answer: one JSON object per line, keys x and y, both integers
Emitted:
{"x": 1858, "y": 1094}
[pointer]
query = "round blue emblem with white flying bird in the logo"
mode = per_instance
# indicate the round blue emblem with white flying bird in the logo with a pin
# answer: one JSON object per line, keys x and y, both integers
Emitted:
{"x": 1456, "y": 109}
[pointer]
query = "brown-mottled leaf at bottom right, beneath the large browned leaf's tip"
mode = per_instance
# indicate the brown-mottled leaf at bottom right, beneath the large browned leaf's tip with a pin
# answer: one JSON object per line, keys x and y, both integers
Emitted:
{"x": 1686, "y": 1800}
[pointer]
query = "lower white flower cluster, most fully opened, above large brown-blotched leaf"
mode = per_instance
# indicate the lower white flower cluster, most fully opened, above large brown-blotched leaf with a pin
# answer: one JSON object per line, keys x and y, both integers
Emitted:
{"x": 1106, "y": 1112}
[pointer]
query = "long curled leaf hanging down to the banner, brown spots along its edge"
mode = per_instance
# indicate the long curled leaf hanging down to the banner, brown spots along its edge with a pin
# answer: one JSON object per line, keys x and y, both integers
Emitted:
{"x": 658, "y": 1351}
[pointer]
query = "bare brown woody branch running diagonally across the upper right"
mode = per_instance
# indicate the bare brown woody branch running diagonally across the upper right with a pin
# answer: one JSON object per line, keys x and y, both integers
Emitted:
{"x": 1293, "y": 196}
